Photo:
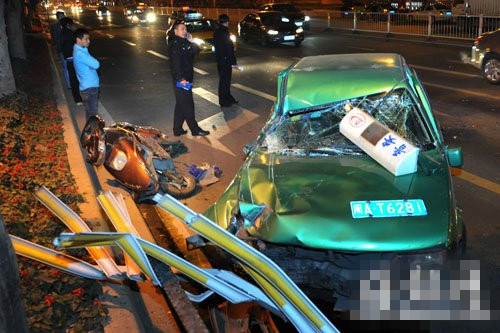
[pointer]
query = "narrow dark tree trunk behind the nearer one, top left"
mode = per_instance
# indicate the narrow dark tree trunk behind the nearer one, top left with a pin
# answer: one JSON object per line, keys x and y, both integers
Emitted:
{"x": 15, "y": 28}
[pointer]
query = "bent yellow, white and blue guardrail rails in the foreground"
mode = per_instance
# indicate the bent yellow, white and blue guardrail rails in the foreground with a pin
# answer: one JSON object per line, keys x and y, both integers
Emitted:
{"x": 279, "y": 293}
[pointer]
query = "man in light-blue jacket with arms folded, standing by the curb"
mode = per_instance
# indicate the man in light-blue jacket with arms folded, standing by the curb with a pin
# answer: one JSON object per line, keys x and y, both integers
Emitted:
{"x": 86, "y": 71}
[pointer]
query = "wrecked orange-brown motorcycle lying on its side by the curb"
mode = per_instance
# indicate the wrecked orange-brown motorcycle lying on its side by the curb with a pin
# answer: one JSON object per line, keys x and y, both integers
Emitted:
{"x": 136, "y": 157}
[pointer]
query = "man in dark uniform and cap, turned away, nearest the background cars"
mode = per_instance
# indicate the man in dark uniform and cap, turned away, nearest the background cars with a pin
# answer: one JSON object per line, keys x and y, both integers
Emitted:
{"x": 224, "y": 52}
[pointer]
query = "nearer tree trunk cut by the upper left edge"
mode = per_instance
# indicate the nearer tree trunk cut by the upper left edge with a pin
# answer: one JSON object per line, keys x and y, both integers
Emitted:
{"x": 7, "y": 83}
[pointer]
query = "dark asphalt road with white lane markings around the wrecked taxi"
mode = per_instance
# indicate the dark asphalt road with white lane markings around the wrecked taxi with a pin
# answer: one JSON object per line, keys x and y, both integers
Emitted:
{"x": 137, "y": 87}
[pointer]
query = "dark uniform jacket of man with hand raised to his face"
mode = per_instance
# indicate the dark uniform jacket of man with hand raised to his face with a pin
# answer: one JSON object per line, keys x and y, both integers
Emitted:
{"x": 181, "y": 53}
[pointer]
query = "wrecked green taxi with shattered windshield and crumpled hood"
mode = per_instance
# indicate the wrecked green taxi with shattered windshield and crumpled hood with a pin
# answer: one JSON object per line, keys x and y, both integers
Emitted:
{"x": 305, "y": 195}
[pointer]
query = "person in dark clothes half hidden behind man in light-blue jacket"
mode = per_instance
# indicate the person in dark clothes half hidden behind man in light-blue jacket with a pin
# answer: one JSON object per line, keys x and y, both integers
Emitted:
{"x": 67, "y": 42}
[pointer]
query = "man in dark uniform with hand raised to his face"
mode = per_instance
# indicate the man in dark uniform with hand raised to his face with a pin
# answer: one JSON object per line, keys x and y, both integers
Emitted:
{"x": 181, "y": 52}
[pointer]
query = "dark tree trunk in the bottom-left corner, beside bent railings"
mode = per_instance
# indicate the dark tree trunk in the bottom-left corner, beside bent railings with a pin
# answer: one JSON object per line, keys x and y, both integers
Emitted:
{"x": 12, "y": 314}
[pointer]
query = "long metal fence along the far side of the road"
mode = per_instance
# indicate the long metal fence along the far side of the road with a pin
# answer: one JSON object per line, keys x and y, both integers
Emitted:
{"x": 465, "y": 27}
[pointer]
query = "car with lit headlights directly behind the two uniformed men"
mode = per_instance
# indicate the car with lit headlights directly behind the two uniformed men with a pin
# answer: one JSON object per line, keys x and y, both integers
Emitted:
{"x": 202, "y": 31}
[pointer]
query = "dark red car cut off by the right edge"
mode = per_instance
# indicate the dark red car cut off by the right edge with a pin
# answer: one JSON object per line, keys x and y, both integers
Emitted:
{"x": 485, "y": 55}
